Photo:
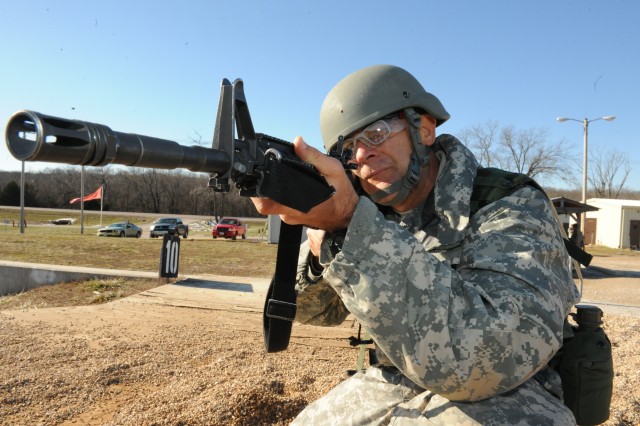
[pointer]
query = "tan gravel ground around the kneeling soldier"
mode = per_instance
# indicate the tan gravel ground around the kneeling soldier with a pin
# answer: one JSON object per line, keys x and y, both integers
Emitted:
{"x": 125, "y": 363}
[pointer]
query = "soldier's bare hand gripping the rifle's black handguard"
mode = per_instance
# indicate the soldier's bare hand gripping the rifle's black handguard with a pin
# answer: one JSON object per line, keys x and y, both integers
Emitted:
{"x": 331, "y": 215}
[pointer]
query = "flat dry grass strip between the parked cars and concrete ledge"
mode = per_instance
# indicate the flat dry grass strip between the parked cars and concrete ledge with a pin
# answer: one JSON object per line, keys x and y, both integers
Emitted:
{"x": 197, "y": 256}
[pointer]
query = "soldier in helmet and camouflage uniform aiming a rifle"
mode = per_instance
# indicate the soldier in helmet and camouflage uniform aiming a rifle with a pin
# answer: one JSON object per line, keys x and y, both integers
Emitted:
{"x": 465, "y": 311}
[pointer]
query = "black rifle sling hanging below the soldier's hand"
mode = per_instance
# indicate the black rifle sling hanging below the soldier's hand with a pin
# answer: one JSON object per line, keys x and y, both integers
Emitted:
{"x": 280, "y": 304}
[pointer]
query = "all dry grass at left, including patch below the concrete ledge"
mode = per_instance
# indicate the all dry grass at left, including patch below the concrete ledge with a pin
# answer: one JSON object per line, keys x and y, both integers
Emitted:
{"x": 64, "y": 245}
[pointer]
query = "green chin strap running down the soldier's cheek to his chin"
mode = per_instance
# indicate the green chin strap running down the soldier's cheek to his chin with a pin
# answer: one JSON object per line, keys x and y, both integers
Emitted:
{"x": 419, "y": 158}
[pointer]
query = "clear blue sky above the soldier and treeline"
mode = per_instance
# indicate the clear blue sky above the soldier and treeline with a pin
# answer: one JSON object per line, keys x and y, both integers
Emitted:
{"x": 154, "y": 67}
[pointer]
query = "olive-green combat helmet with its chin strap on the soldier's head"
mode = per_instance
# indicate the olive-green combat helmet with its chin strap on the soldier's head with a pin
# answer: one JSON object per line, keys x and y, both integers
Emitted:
{"x": 370, "y": 94}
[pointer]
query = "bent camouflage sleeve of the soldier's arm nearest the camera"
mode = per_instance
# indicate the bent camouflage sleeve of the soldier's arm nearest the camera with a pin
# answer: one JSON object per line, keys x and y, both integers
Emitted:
{"x": 470, "y": 331}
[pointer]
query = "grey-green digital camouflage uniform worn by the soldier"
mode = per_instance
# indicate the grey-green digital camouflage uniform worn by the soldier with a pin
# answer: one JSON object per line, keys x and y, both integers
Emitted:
{"x": 464, "y": 311}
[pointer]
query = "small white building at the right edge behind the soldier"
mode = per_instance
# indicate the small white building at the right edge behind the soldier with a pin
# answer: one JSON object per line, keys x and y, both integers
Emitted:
{"x": 616, "y": 223}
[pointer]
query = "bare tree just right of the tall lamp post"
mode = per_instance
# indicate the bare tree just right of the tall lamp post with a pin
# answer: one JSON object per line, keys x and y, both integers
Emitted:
{"x": 609, "y": 173}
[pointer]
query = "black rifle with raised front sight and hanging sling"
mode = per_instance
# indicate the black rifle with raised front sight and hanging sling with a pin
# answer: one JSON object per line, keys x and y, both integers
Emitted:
{"x": 258, "y": 164}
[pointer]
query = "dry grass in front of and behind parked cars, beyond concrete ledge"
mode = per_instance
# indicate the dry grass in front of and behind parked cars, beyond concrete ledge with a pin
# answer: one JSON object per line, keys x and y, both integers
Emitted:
{"x": 65, "y": 245}
